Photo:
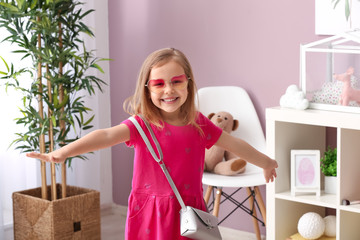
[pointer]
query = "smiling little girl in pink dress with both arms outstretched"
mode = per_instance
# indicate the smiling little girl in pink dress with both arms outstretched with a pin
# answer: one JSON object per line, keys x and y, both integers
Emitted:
{"x": 165, "y": 96}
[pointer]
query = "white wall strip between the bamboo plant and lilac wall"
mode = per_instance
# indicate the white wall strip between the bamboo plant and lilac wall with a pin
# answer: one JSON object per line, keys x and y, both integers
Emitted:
{"x": 96, "y": 173}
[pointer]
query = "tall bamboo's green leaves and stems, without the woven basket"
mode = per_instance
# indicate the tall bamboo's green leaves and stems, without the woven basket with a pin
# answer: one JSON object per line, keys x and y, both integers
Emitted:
{"x": 51, "y": 33}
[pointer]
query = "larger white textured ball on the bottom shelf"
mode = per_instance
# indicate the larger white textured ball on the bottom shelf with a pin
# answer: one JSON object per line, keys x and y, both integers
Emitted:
{"x": 311, "y": 225}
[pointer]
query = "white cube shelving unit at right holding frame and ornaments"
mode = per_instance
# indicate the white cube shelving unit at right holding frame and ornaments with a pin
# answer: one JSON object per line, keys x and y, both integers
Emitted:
{"x": 288, "y": 129}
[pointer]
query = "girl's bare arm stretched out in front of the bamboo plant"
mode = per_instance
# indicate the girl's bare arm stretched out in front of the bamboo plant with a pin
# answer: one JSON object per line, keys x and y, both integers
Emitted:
{"x": 93, "y": 141}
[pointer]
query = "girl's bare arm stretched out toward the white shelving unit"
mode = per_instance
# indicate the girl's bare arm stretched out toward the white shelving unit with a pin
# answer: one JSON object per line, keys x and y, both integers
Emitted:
{"x": 245, "y": 151}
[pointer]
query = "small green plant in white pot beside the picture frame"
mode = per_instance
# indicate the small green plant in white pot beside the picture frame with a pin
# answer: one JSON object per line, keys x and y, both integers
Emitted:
{"x": 328, "y": 166}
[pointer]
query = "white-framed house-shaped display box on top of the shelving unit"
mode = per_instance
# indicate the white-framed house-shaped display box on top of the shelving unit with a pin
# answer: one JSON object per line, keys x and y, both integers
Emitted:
{"x": 330, "y": 72}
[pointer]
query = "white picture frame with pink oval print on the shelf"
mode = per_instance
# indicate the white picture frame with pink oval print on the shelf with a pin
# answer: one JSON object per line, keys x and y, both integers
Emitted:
{"x": 305, "y": 172}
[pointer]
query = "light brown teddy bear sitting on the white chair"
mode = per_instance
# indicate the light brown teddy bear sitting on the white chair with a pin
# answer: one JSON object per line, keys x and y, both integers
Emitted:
{"x": 218, "y": 160}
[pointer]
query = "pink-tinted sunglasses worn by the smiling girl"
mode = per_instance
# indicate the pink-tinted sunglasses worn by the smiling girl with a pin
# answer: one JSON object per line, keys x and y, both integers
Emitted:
{"x": 158, "y": 85}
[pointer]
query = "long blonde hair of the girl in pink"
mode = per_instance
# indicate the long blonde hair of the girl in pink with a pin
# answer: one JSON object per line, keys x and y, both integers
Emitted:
{"x": 140, "y": 102}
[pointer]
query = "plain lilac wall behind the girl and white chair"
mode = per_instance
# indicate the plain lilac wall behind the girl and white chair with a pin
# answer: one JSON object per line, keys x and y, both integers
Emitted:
{"x": 251, "y": 43}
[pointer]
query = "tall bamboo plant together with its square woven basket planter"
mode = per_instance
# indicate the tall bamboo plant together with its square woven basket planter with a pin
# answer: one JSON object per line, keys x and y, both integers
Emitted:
{"x": 49, "y": 32}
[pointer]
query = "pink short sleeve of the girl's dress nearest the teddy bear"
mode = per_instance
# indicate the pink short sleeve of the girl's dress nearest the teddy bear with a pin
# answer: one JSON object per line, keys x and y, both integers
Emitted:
{"x": 211, "y": 132}
